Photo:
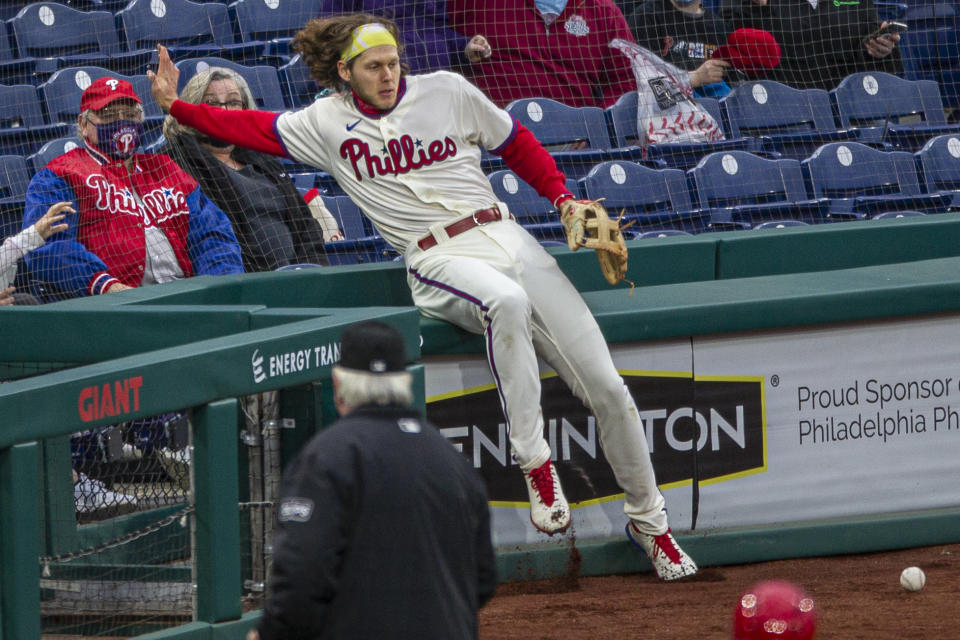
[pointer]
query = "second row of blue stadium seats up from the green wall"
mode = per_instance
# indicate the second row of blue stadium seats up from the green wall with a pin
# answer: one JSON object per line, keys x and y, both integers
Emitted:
{"x": 763, "y": 116}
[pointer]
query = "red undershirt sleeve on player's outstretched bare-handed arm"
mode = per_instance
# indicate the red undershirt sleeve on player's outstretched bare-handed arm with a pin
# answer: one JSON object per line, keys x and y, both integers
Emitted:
{"x": 247, "y": 128}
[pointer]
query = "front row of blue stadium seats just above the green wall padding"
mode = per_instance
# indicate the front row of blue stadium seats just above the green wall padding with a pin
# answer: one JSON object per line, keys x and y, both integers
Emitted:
{"x": 841, "y": 181}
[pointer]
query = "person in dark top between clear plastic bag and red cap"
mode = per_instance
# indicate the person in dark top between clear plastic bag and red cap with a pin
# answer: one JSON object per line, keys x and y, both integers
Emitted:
{"x": 684, "y": 33}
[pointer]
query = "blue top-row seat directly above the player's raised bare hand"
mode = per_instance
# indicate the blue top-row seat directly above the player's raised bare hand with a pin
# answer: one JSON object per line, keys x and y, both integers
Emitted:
{"x": 187, "y": 29}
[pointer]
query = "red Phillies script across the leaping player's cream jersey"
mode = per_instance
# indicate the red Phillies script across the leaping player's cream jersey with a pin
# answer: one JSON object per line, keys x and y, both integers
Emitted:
{"x": 403, "y": 154}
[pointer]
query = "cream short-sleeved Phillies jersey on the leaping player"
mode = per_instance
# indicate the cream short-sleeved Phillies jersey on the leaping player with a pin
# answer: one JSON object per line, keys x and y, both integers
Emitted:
{"x": 414, "y": 166}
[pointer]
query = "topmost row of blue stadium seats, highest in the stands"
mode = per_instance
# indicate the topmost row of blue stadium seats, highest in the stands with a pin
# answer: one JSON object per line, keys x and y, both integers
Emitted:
{"x": 44, "y": 37}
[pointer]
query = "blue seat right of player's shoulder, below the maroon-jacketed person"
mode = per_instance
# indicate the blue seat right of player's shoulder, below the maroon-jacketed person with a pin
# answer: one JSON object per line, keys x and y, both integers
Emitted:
{"x": 557, "y": 126}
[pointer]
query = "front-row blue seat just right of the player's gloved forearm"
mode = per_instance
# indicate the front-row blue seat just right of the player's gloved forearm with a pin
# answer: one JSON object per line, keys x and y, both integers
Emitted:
{"x": 650, "y": 199}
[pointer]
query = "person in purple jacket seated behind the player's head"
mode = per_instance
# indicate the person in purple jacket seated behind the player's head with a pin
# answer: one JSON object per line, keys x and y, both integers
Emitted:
{"x": 429, "y": 43}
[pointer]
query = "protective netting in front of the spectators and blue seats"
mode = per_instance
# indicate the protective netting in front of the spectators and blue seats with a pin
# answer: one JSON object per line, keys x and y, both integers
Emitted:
{"x": 761, "y": 84}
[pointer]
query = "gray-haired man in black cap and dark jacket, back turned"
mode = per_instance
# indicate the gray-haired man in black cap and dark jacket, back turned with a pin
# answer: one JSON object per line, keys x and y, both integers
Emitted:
{"x": 383, "y": 528}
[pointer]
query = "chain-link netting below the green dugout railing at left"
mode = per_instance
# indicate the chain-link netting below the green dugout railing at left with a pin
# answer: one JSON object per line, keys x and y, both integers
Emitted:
{"x": 120, "y": 558}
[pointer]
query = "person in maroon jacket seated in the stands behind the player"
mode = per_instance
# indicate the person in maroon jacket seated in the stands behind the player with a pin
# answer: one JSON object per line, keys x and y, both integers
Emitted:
{"x": 548, "y": 48}
